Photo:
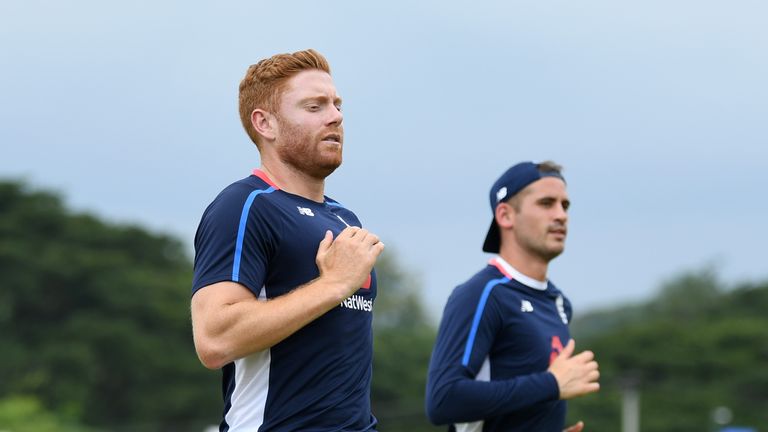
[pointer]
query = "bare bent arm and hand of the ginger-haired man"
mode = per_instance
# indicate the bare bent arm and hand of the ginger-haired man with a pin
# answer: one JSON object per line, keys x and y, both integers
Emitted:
{"x": 228, "y": 322}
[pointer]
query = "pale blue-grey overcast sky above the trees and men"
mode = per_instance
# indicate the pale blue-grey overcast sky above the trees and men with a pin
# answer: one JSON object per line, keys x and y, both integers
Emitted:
{"x": 658, "y": 111}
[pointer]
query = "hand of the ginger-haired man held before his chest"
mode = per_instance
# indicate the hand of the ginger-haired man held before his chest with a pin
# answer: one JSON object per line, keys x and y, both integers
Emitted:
{"x": 347, "y": 260}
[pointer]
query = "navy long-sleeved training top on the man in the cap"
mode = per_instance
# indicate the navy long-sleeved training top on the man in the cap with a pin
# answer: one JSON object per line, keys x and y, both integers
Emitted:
{"x": 499, "y": 332}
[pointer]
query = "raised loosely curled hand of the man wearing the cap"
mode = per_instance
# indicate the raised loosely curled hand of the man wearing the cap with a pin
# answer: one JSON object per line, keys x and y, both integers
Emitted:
{"x": 576, "y": 375}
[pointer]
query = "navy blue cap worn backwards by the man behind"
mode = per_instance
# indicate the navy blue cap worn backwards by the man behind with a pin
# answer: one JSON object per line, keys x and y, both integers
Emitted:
{"x": 508, "y": 185}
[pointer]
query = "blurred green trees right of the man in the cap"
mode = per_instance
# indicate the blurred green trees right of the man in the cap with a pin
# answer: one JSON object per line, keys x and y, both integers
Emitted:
{"x": 695, "y": 347}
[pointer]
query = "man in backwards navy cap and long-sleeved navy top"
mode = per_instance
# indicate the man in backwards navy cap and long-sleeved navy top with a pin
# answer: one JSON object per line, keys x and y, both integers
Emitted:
{"x": 504, "y": 359}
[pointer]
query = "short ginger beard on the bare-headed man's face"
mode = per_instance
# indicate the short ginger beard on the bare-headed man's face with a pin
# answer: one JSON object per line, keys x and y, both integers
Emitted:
{"x": 308, "y": 152}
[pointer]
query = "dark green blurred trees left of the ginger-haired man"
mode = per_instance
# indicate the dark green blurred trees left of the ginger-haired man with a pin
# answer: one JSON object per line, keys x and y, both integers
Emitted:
{"x": 94, "y": 318}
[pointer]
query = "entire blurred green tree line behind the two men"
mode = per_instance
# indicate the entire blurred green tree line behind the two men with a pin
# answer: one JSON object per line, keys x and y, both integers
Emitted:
{"x": 95, "y": 336}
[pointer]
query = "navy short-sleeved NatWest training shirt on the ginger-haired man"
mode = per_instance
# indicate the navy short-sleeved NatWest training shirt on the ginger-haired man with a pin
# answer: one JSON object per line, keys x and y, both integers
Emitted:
{"x": 318, "y": 379}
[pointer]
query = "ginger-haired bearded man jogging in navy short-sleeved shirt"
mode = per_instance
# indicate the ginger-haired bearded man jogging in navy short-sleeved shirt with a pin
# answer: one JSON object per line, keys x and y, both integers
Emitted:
{"x": 284, "y": 285}
